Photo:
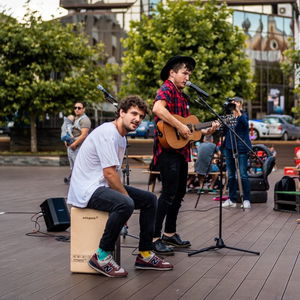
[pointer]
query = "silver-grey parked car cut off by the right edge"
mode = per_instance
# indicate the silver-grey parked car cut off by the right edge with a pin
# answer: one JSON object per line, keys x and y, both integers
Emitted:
{"x": 281, "y": 126}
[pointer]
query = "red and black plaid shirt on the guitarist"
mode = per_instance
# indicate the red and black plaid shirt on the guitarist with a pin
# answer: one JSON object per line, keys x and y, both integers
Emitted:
{"x": 177, "y": 103}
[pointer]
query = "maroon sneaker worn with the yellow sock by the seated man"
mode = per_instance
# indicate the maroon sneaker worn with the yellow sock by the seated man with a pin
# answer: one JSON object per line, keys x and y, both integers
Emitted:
{"x": 152, "y": 263}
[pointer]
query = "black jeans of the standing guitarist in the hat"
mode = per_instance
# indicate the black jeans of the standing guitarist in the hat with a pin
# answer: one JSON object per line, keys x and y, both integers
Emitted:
{"x": 173, "y": 170}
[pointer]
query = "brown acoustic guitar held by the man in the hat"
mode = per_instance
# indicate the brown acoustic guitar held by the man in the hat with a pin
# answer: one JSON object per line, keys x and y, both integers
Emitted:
{"x": 169, "y": 136}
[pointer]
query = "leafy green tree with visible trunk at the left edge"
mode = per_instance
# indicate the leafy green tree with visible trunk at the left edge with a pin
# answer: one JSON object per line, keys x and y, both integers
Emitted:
{"x": 45, "y": 67}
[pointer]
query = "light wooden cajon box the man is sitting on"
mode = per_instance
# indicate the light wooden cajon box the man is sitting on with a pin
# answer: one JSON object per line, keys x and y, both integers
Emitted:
{"x": 87, "y": 227}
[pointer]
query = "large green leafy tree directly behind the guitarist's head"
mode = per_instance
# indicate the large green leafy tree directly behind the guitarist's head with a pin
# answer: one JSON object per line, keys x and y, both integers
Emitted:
{"x": 195, "y": 29}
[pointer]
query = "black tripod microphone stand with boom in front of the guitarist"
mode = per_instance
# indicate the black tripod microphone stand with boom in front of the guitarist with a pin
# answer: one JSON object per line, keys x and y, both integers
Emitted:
{"x": 219, "y": 241}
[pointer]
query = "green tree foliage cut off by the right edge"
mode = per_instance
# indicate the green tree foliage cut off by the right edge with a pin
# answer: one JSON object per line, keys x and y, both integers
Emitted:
{"x": 291, "y": 67}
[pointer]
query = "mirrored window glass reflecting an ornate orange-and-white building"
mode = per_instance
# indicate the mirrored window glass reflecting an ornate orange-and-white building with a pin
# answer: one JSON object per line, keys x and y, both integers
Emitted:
{"x": 267, "y": 39}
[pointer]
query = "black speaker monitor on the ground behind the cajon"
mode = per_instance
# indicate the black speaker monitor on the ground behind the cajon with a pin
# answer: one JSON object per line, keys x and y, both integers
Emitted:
{"x": 56, "y": 214}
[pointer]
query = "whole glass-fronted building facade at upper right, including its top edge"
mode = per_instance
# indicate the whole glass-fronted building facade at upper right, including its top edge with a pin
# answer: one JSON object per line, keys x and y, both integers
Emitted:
{"x": 270, "y": 28}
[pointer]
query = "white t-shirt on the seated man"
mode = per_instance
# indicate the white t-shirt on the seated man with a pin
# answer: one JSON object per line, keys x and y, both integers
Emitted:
{"x": 102, "y": 148}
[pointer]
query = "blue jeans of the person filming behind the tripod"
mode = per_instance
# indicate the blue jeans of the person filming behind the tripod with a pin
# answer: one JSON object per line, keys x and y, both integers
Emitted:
{"x": 232, "y": 178}
